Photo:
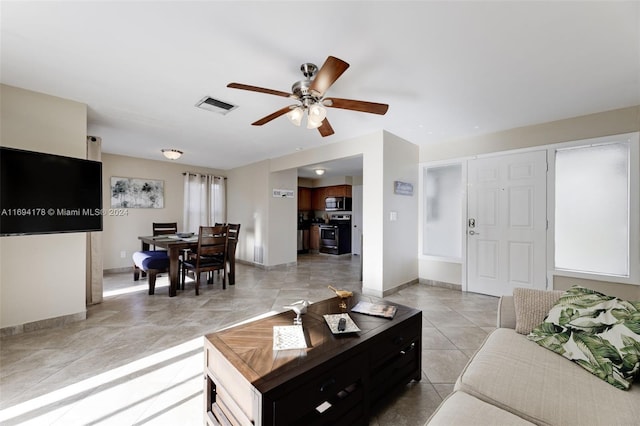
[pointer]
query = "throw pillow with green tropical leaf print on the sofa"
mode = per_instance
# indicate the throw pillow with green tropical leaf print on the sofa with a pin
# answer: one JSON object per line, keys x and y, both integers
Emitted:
{"x": 598, "y": 332}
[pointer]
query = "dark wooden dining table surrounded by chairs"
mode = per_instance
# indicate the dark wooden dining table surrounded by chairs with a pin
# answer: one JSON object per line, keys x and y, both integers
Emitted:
{"x": 175, "y": 244}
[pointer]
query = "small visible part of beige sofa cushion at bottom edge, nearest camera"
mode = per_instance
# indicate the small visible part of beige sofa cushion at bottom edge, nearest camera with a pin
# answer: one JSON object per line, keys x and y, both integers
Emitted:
{"x": 460, "y": 408}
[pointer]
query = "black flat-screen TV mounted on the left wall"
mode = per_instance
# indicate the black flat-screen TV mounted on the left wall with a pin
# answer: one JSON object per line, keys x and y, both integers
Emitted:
{"x": 44, "y": 193}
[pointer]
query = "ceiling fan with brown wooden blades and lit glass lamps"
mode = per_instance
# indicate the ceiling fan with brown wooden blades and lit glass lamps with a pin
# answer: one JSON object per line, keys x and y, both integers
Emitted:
{"x": 310, "y": 95}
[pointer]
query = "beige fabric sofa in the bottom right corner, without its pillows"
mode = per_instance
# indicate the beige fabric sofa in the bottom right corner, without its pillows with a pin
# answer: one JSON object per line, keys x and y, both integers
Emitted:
{"x": 512, "y": 381}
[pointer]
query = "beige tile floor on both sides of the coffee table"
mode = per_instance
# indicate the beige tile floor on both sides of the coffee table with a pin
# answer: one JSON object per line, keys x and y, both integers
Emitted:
{"x": 137, "y": 359}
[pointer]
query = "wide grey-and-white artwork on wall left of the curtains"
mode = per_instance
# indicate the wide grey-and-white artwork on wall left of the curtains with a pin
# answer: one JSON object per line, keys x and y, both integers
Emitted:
{"x": 137, "y": 193}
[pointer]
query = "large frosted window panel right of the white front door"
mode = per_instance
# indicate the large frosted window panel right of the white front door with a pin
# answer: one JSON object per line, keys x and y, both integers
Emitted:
{"x": 592, "y": 209}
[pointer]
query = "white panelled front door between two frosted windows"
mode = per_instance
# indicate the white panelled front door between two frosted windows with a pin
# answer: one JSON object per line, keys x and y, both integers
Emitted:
{"x": 506, "y": 223}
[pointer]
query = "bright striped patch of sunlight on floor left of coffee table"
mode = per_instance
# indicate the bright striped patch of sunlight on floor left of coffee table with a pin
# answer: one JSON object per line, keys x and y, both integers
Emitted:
{"x": 139, "y": 391}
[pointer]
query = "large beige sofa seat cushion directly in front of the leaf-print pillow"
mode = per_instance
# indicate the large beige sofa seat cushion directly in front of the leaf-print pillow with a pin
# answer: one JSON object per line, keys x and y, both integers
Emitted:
{"x": 517, "y": 375}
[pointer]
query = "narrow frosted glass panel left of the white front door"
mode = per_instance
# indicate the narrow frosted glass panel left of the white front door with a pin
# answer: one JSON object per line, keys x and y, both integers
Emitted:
{"x": 443, "y": 211}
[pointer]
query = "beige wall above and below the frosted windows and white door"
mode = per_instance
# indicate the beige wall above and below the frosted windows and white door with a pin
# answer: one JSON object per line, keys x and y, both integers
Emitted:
{"x": 607, "y": 123}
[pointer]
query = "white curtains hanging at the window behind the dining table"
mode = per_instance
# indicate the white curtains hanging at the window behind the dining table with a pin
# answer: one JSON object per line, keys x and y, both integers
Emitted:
{"x": 205, "y": 201}
